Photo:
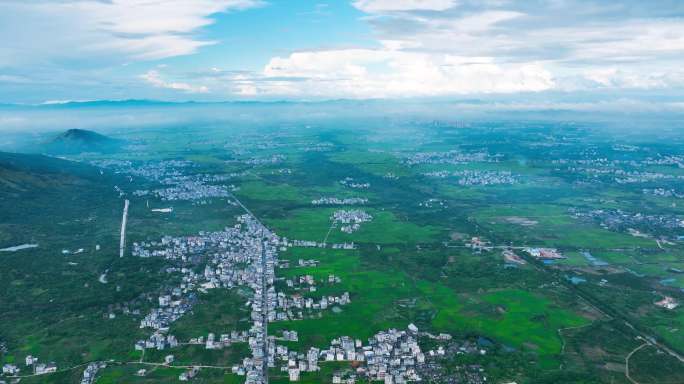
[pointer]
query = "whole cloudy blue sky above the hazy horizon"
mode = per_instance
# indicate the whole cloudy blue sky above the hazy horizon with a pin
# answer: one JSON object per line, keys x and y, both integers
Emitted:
{"x": 213, "y": 50}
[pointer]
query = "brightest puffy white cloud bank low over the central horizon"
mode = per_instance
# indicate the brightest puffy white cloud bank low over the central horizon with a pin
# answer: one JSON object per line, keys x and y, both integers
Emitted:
{"x": 369, "y": 73}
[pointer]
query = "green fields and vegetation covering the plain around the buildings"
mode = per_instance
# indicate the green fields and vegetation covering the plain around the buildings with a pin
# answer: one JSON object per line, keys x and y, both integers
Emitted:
{"x": 417, "y": 261}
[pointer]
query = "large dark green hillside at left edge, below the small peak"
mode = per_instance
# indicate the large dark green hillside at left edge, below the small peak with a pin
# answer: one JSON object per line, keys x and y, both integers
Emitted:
{"x": 44, "y": 197}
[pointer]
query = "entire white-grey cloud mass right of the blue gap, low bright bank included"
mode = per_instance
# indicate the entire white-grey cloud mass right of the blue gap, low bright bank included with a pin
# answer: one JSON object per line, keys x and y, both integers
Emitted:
{"x": 446, "y": 47}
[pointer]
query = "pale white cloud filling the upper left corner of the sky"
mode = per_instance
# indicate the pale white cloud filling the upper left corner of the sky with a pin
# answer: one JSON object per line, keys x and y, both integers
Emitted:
{"x": 91, "y": 30}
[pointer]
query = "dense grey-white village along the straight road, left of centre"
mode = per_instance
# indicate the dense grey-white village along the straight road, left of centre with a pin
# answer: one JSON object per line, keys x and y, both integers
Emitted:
{"x": 243, "y": 255}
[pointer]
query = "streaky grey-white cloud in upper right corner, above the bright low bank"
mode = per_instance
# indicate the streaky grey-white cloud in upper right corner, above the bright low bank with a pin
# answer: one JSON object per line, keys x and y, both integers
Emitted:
{"x": 581, "y": 43}
